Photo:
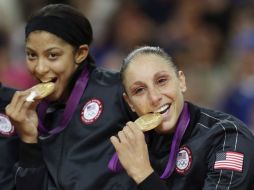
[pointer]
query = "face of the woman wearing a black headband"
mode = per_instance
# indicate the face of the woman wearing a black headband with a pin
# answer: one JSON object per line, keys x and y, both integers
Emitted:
{"x": 50, "y": 58}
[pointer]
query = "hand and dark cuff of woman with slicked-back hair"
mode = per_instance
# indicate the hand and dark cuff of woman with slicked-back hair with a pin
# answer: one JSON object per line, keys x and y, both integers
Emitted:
{"x": 132, "y": 151}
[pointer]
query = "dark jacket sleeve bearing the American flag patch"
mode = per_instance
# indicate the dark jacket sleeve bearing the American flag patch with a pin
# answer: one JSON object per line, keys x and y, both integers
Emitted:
{"x": 230, "y": 165}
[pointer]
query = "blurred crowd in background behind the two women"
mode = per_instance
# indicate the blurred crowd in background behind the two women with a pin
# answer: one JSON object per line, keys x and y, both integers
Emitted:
{"x": 212, "y": 41}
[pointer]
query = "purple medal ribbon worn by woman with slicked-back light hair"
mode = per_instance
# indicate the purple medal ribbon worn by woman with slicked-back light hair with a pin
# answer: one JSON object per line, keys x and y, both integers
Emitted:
{"x": 184, "y": 119}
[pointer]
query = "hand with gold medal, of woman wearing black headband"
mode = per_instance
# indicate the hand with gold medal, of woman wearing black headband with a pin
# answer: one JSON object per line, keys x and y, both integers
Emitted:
{"x": 22, "y": 110}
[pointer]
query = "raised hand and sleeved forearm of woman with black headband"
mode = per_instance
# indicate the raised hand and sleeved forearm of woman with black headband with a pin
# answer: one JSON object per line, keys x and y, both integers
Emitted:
{"x": 30, "y": 172}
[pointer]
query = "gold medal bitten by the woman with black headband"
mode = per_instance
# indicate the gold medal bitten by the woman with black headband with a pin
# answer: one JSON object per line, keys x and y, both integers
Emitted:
{"x": 40, "y": 91}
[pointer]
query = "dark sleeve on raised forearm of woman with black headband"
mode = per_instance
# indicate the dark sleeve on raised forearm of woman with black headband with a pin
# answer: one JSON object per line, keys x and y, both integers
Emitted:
{"x": 30, "y": 171}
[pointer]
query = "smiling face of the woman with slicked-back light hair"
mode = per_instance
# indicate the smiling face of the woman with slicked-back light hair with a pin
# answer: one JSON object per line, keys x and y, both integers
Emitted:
{"x": 152, "y": 85}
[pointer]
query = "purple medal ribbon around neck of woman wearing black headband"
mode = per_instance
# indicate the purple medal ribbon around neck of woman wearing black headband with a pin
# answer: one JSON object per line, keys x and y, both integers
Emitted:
{"x": 70, "y": 108}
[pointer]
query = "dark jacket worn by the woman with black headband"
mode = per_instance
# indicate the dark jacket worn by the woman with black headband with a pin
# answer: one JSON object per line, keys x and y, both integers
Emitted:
{"x": 77, "y": 157}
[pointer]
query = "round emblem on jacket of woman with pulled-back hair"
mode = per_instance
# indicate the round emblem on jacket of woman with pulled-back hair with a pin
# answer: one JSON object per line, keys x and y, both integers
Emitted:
{"x": 183, "y": 160}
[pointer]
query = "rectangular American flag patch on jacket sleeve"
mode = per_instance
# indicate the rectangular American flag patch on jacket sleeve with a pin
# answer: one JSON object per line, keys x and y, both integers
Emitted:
{"x": 229, "y": 161}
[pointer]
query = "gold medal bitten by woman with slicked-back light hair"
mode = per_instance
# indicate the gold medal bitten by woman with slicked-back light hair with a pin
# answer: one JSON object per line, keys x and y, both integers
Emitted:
{"x": 149, "y": 121}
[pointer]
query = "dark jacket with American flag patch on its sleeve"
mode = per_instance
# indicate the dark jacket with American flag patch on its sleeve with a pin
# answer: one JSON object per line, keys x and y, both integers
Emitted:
{"x": 216, "y": 153}
